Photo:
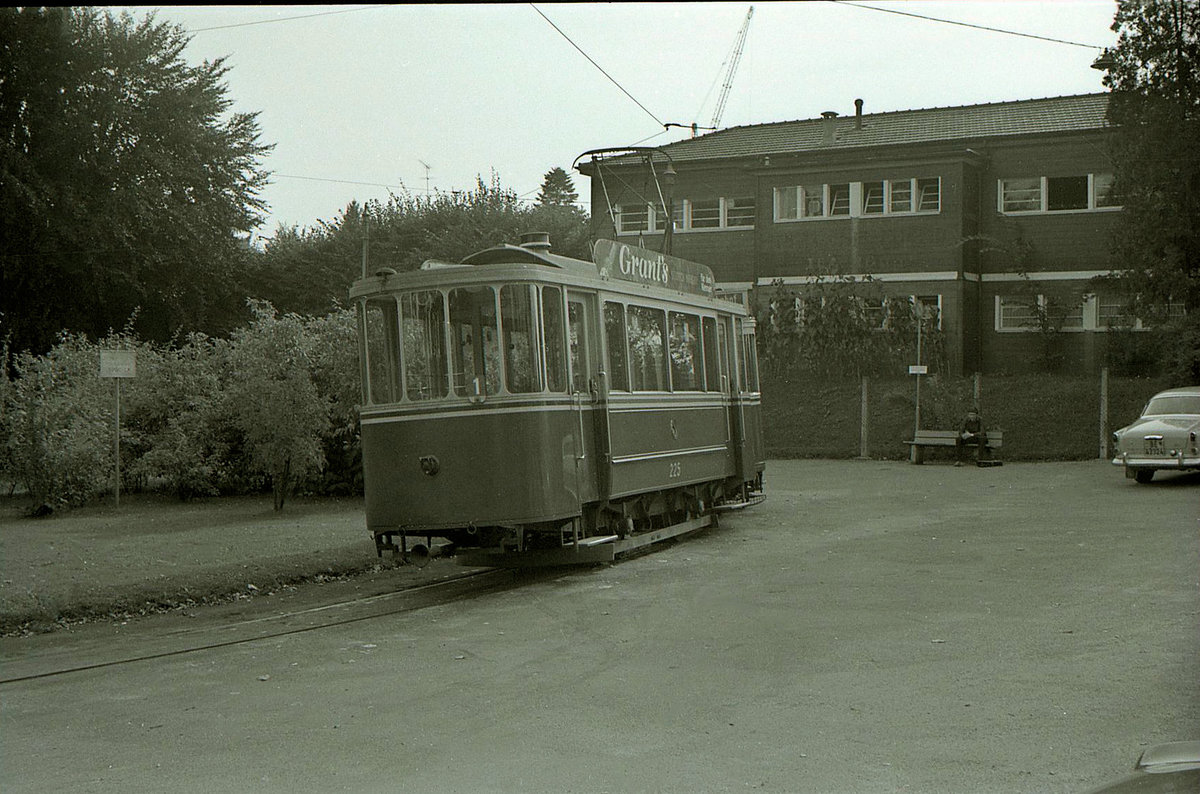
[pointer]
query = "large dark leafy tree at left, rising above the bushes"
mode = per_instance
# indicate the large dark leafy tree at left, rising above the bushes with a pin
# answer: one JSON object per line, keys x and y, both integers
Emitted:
{"x": 125, "y": 179}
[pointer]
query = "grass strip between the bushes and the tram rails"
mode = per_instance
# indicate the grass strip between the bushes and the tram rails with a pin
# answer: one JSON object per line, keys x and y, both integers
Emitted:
{"x": 154, "y": 554}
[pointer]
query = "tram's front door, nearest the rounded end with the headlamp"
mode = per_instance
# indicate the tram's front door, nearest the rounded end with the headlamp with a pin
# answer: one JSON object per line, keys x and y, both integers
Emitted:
{"x": 586, "y": 400}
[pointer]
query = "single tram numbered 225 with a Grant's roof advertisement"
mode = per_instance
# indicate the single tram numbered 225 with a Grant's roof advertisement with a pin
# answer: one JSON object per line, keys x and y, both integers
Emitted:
{"x": 532, "y": 408}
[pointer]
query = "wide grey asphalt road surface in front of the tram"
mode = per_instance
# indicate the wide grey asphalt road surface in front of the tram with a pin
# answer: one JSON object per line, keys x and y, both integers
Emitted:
{"x": 871, "y": 628}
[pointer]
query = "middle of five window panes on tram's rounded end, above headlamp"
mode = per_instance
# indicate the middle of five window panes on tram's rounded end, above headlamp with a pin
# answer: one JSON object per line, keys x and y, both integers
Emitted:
{"x": 475, "y": 341}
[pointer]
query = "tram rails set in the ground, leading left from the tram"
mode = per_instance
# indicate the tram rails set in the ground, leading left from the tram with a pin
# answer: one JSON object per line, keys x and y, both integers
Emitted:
{"x": 271, "y": 627}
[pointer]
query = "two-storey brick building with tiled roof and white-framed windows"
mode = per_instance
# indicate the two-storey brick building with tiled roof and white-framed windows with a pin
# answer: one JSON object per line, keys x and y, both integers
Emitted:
{"x": 989, "y": 215}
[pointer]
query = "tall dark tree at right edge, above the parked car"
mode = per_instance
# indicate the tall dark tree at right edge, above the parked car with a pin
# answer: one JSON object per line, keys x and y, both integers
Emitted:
{"x": 1156, "y": 111}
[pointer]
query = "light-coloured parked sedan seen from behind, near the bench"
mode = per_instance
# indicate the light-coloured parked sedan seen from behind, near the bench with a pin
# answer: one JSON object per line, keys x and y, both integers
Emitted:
{"x": 1163, "y": 438}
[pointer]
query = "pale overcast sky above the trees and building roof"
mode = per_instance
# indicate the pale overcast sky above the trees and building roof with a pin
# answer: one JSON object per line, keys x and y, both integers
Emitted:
{"x": 367, "y": 101}
